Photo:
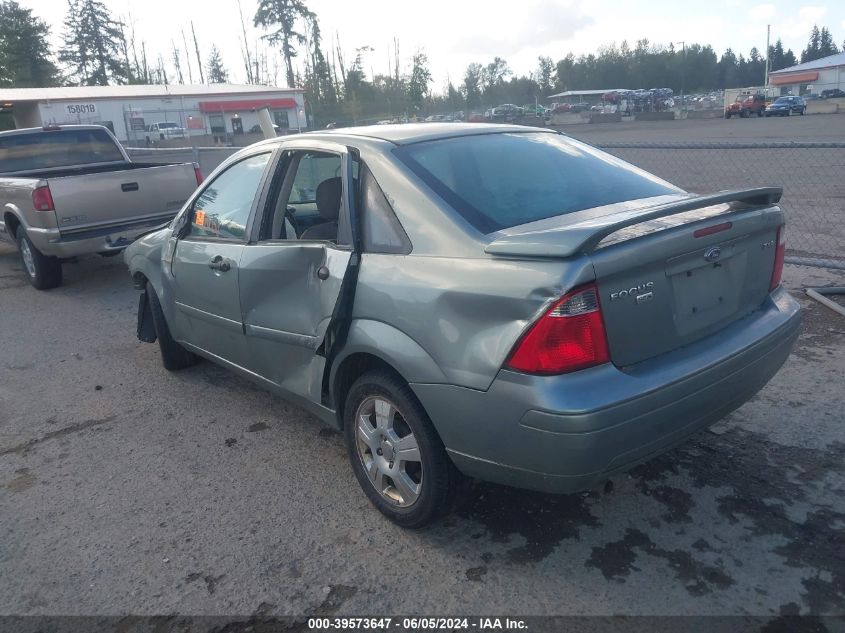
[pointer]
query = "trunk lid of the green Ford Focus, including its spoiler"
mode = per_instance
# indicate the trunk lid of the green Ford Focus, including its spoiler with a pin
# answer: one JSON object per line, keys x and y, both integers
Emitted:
{"x": 670, "y": 273}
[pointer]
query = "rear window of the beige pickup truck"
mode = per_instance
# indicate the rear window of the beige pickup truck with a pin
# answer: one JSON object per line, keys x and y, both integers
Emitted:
{"x": 58, "y": 148}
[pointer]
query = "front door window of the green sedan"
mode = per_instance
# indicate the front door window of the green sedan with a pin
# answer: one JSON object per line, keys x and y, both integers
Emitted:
{"x": 222, "y": 209}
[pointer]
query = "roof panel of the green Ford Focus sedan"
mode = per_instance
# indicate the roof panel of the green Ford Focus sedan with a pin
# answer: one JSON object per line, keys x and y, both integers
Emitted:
{"x": 407, "y": 133}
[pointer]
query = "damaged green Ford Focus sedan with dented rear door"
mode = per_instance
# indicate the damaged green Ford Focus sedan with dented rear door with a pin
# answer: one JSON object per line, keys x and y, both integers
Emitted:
{"x": 493, "y": 301}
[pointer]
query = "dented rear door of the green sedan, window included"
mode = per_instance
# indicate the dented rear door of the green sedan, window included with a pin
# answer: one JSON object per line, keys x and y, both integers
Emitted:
{"x": 292, "y": 271}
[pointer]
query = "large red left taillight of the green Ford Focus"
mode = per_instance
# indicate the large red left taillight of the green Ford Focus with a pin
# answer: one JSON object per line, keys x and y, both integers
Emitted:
{"x": 568, "y": 337}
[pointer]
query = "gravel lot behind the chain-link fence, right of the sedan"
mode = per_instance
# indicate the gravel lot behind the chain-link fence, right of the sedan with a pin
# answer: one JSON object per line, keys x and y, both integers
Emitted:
{"x": 814, "y": 191}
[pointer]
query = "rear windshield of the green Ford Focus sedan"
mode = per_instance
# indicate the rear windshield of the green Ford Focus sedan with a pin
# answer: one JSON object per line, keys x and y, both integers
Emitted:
{"x": 496, "y": 181}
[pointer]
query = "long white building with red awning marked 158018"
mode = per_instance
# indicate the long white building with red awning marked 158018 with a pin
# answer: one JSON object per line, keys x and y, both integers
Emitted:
{"x": 219, "y": 111}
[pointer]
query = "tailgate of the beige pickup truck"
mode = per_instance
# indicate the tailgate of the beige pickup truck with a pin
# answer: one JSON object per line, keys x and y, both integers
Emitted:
{"x": 95, "y": 201}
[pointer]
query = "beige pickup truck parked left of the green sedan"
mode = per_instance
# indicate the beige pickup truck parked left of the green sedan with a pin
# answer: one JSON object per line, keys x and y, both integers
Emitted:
{"x": 71, "y": 190}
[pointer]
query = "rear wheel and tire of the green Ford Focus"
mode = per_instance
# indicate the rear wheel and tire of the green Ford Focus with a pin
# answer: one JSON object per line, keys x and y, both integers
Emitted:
{"x": 430, "y": 482}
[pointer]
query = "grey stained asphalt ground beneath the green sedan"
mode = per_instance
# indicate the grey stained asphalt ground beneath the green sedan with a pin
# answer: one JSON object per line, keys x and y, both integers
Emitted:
{"x": 127, "y": 489}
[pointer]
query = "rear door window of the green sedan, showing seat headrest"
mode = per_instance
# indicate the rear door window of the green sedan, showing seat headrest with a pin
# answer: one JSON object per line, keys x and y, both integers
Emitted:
{"x": 307, "y": 198}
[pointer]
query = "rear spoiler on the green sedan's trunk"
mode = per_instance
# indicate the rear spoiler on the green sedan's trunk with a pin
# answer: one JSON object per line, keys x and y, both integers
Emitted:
{"x": 584, "y": 236}
